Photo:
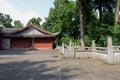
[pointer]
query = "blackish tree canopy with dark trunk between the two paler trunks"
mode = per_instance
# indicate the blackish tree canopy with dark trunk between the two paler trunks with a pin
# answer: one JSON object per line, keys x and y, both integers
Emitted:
{"x": 103, "y": 6}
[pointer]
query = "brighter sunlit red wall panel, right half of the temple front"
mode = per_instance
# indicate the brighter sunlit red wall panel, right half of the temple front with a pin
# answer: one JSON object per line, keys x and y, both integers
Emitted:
{"x": 43, "y": 43}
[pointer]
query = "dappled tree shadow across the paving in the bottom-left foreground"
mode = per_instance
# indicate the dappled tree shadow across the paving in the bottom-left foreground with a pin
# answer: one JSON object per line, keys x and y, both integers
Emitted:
{"x": 39, "y": 70}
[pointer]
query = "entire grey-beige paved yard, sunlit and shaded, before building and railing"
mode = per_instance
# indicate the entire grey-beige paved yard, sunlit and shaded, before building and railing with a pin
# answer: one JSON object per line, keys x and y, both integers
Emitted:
{"x": 49, "y": 65}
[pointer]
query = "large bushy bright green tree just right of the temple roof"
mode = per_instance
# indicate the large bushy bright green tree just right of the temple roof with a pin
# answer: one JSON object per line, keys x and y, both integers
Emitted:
{"x": 62, "y": 19}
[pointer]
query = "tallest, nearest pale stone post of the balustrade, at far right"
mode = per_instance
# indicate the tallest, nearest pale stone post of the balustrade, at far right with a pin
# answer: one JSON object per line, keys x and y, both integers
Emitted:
{"x": 110, "y": 54}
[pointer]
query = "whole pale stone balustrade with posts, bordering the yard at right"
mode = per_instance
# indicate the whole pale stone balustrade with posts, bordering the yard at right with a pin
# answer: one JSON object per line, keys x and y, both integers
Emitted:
{"x": 109, "y": 54}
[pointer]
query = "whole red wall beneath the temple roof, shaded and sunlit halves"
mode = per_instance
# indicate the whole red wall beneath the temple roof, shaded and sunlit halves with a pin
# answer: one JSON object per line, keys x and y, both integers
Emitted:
{"x": 39, "y": 43}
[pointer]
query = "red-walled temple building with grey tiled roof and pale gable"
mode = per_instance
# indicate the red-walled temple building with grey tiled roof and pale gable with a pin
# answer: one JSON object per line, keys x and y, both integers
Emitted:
{"x": 29, "y": 36}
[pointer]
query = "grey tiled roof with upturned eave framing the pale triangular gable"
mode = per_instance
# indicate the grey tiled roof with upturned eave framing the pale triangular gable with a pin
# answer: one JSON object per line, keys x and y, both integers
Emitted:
{"x": 13, "y": 32}
